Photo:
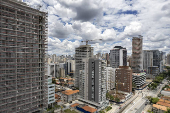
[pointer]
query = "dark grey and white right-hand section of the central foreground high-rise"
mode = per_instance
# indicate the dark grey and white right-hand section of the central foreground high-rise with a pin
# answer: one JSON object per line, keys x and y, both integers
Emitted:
{"x": 97, "y": 80}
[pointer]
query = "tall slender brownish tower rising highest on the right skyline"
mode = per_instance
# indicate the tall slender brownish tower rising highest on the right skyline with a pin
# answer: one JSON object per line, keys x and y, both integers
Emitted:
{"x": 137, "y": 60}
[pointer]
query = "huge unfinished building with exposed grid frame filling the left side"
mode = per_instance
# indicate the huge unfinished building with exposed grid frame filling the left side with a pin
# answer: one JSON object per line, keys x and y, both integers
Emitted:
{"x": 23, "y": 41}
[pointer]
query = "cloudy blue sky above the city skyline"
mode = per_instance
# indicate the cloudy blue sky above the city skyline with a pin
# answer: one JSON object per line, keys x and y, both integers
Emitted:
{"x": 113, "y": 21}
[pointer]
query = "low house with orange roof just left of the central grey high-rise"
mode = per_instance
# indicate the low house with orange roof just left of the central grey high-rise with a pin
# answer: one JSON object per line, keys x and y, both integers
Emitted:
{"x": 69, "y": 95}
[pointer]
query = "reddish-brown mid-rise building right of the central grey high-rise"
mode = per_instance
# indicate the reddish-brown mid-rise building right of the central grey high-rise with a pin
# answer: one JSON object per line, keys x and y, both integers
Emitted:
{"x": 124, "y": 75}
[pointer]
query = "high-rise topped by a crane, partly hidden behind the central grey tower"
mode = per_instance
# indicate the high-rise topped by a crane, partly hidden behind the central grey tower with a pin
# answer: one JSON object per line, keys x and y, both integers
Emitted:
{"x": 84, "y": 51}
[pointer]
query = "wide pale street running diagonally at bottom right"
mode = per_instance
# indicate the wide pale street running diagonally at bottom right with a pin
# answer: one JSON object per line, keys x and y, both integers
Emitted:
{"x": 138, "y": 100}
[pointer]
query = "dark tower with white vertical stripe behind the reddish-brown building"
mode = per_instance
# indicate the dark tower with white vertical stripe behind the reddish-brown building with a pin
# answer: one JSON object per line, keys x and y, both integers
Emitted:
{"x": 118, "y": 57}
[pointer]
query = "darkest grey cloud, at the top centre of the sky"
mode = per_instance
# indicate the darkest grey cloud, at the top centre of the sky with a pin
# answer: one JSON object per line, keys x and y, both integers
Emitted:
{"x": 86, "y": 9}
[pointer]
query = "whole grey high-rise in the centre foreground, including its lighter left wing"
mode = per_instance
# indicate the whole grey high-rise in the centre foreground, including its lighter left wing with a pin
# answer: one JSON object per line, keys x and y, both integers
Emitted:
{"x": 93, "y": 80}
